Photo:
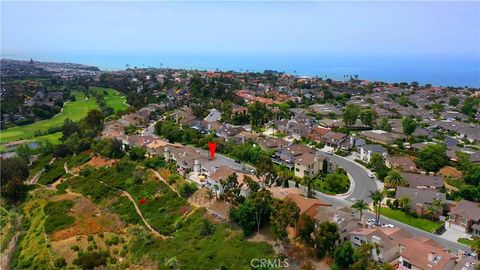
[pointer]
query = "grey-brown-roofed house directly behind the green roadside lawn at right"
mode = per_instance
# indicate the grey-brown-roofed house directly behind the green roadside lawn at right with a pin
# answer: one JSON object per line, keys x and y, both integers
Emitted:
{"x": 420, "y": 199}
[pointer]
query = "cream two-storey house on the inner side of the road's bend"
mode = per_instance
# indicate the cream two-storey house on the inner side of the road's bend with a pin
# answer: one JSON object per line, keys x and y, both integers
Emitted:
{"x": 311, "y": 165}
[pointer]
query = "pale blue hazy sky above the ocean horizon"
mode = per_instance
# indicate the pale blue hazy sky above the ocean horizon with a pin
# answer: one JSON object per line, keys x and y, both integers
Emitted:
{"x": 342, "y": 28}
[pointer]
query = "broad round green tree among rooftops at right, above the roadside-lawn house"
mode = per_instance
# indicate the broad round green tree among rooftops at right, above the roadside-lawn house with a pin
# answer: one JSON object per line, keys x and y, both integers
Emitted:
{"x": 432, "y": 157}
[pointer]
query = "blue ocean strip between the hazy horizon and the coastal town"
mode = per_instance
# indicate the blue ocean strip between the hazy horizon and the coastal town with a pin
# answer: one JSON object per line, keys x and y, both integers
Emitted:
{"x": 457, "y": 71}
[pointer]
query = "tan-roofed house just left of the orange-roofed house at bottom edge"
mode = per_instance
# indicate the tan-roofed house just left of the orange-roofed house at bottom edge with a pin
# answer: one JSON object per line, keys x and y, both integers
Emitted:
{"x": 386, "y": 241}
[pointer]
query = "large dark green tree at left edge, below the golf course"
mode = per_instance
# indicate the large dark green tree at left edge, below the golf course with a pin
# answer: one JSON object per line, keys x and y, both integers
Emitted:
{"x": 14, "y": 171}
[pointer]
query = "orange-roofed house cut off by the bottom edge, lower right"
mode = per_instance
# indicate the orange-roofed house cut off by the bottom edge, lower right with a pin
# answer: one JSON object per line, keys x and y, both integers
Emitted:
{"x": 423, "y": 255}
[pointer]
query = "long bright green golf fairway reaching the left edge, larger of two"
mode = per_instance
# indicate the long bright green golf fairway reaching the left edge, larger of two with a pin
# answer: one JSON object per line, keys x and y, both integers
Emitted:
{"x": 75, "y": 111}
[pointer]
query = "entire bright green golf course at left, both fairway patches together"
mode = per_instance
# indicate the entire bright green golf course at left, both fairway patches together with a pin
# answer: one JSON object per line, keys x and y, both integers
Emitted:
{"x": 74, "y": 110}
